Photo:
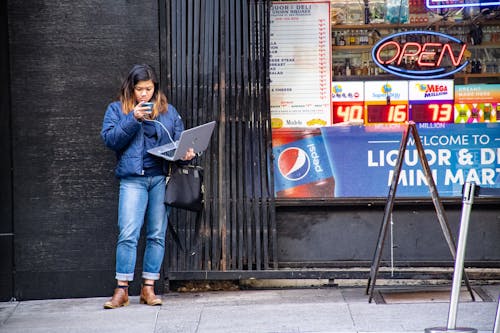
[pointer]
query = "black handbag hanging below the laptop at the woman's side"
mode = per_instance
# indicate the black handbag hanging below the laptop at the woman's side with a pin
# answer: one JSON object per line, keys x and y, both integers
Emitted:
{"x": 185, "y": 187}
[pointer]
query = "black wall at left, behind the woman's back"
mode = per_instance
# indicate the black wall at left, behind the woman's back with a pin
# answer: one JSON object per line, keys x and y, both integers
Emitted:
{"x": 66, "y": 63}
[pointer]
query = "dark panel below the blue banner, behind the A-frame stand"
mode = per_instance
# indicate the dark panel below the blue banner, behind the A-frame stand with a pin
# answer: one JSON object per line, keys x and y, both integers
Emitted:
{"x": 346, "y": 236}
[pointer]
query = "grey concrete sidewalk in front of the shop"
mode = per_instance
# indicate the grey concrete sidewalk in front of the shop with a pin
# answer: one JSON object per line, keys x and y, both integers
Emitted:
{"x": 261, "y": 311}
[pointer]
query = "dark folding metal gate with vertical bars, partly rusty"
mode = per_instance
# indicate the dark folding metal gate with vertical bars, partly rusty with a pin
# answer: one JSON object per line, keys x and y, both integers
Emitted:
{"x": 214, "y": 67}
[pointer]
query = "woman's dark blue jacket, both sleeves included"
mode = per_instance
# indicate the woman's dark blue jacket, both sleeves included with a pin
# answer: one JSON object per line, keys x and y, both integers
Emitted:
{"x": 125, "y": 135}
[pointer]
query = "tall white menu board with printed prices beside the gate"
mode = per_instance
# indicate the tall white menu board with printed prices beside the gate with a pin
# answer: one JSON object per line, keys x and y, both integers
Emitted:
{"x": 300, "y": 64}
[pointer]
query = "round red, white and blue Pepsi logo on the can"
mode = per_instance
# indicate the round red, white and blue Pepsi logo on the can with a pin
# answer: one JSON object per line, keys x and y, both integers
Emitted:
{"x": 294, "y": 163}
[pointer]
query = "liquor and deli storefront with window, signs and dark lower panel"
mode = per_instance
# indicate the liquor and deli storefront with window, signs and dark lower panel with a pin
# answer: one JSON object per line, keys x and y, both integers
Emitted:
{"x": 346, "y": 78}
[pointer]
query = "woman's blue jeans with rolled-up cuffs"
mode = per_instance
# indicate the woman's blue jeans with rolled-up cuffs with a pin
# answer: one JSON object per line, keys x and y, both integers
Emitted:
{"x": 141, "y": 199}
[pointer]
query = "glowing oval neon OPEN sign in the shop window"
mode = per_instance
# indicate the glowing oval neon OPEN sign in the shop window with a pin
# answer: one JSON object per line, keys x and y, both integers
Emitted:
{"x": 405, "y": 54}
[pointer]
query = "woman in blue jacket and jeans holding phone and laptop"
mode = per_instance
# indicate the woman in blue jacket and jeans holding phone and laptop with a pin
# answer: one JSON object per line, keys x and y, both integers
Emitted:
{"x": 130, "y": 128}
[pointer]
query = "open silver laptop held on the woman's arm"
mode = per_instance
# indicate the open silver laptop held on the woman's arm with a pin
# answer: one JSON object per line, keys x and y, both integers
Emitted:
{"x": 197, "y": 138}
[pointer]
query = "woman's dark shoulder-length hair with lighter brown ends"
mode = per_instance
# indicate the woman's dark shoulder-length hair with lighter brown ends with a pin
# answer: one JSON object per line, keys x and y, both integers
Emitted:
{"x": 142, "y": 72}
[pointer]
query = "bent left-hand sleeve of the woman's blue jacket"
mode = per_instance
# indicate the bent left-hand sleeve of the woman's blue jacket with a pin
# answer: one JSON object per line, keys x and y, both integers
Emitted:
{"x": 118, "y": 129}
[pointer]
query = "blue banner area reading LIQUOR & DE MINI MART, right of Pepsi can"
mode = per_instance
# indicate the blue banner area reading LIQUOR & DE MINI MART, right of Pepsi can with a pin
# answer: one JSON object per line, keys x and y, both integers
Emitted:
{"x": 362, "y": 158}
